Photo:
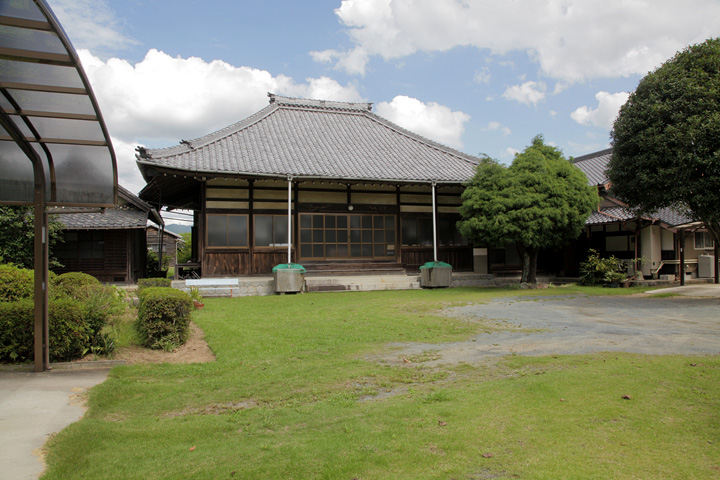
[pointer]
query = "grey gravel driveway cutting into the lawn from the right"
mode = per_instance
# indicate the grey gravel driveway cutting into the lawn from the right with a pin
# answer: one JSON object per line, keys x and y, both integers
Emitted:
{"x": 580, "y": 324}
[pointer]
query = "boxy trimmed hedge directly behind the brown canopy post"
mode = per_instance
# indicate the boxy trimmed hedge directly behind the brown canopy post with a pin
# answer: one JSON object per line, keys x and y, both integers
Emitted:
{"x": 70, "y": 334}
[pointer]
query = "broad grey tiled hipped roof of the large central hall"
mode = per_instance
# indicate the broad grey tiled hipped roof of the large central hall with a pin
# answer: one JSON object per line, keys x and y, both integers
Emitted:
{"x": 315, "y": 139}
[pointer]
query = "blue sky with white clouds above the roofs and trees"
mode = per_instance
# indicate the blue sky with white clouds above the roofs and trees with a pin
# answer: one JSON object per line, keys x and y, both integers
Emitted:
{"x": 482, "y": 76}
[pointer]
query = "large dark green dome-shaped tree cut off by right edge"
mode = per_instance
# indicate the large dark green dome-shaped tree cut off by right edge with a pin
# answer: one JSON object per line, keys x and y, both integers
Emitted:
{"x": 666, "y": 139}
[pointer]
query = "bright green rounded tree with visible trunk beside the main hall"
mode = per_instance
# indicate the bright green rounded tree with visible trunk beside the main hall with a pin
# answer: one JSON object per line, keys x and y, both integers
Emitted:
{"x": 540, "y": 201}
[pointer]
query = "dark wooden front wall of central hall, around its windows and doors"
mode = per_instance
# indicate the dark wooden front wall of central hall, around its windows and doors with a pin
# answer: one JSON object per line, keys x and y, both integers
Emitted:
{"x": 238, "y": 196}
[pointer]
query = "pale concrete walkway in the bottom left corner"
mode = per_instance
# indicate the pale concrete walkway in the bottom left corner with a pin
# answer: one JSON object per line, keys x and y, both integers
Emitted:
{"x": 33, "y": 406}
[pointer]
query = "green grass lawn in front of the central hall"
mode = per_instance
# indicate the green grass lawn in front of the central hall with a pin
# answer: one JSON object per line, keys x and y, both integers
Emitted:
{"x": 295, "y": 394}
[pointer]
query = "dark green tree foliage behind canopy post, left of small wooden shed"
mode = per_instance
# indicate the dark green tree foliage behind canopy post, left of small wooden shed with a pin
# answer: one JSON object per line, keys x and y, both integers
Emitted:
{"x": 17, "y": 235}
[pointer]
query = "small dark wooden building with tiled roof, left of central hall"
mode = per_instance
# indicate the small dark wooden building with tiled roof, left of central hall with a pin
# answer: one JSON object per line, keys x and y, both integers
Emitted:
{"x": 109, "y": 244}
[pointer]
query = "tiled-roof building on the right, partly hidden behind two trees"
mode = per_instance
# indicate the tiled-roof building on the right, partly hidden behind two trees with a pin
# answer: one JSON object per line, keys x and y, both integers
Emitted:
{"x": 657, "y": 237}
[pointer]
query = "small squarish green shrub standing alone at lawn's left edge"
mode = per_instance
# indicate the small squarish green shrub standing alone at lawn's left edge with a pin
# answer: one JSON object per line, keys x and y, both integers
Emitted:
{"x": 164, "y": 317}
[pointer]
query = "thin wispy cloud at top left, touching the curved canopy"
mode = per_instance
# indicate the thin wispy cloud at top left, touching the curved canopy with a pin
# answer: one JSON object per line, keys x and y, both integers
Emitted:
{"x": 91, "y": 24}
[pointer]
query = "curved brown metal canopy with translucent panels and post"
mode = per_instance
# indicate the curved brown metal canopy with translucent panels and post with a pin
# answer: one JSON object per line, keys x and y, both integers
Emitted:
{"x": 54, "y": 146}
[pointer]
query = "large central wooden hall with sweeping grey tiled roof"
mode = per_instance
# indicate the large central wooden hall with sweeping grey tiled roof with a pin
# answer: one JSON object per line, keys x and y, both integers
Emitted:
{"x": 362, "y": 192}
